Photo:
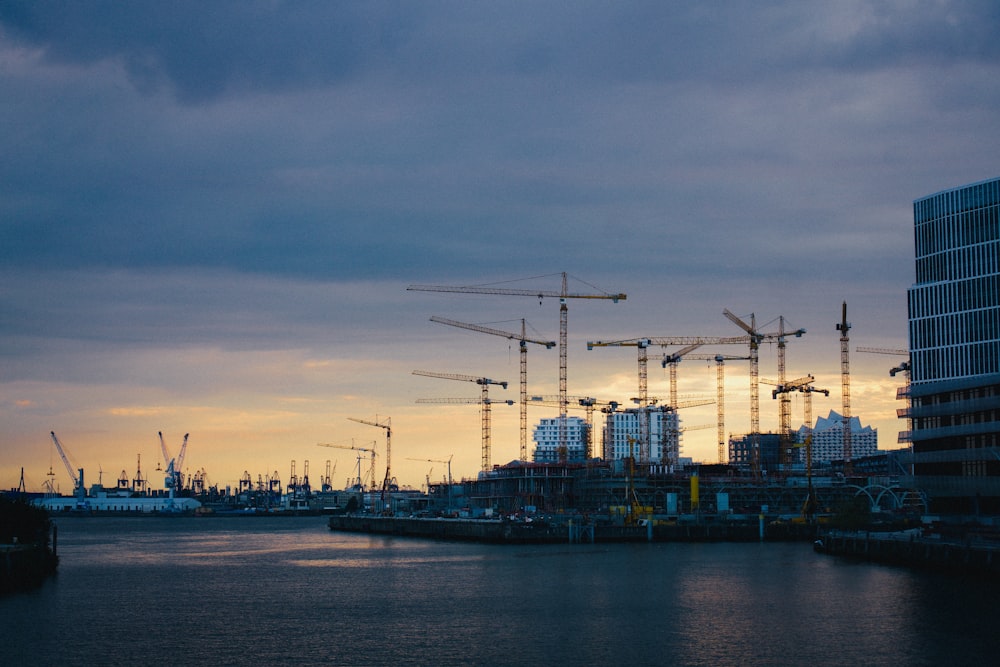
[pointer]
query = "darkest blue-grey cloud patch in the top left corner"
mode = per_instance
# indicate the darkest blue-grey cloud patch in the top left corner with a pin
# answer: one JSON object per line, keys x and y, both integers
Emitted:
{"x": 202, "y": 50}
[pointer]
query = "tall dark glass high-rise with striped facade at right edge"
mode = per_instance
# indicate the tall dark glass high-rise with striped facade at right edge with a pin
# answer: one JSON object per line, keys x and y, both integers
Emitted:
{"x": 954, "y": 332}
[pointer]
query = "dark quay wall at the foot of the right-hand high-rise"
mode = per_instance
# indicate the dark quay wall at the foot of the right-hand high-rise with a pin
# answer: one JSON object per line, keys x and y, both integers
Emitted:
{"x": 911, "y": 550}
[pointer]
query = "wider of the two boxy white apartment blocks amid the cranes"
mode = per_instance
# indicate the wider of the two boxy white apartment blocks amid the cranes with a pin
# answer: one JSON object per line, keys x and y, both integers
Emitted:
{"x": 624, "y": 437}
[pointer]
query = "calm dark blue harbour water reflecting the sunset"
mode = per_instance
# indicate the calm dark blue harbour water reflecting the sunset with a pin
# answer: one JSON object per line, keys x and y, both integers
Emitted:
{"x": 282, "y": 591}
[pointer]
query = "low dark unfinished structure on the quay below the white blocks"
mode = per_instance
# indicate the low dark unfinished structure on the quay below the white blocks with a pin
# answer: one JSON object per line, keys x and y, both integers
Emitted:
{"x": 617, "y": 487}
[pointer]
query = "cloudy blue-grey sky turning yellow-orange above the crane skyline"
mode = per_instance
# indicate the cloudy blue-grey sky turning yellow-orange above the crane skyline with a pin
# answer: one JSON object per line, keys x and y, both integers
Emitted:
{"x": 210, "y": 214}
